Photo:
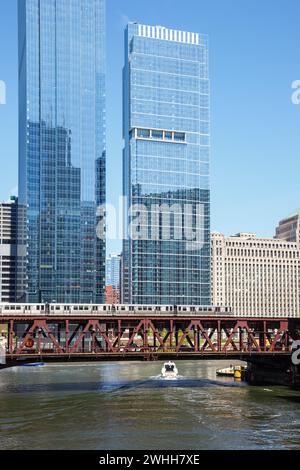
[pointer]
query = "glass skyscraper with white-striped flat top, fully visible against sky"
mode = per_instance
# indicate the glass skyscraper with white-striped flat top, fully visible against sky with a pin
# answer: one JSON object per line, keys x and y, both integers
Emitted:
{"x": 166, "y": 167}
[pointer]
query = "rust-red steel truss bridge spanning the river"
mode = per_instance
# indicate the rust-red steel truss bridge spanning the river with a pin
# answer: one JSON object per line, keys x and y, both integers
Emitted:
{"x": 151, "y": 337}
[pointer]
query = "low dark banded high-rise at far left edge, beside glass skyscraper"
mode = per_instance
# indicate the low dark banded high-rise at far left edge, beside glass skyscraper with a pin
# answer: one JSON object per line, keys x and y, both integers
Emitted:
{"x": 12, "y": 260}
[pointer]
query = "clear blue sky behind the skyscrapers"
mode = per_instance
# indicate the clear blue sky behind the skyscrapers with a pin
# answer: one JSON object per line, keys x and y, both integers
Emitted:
{"x": 254, "y": 58}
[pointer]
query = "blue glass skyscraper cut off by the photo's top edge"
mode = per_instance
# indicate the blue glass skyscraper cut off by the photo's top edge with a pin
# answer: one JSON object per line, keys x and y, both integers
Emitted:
{"x": 62, "y": 149}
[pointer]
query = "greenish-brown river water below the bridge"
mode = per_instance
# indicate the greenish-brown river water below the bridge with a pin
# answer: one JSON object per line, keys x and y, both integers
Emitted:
{"x": 106, "y": 406}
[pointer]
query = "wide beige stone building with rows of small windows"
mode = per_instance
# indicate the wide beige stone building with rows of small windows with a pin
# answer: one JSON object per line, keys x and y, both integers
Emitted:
{"x": 255, "y": 276}
